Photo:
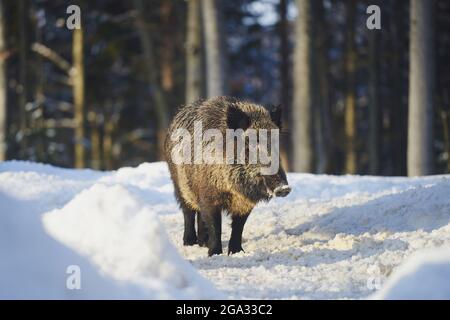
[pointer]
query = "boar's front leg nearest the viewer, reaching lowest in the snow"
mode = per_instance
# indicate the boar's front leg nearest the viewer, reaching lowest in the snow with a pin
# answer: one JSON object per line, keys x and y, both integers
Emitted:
{"x": 212, "y": 218}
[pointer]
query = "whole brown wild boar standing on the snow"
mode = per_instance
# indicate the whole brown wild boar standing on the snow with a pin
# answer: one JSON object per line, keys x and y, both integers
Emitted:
{"x": 205, "y": 188}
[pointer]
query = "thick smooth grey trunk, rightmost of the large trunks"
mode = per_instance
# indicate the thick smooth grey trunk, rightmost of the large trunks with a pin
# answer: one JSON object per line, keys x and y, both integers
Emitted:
{"x": 421, "y": 77}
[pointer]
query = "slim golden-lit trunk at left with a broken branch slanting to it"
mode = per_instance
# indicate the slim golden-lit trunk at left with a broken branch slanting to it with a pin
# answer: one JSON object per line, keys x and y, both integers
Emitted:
{"x": 78, "y": 95}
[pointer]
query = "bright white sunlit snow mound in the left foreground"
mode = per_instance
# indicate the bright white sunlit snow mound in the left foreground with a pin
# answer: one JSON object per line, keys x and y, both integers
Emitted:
{"x": 125, "y": 239}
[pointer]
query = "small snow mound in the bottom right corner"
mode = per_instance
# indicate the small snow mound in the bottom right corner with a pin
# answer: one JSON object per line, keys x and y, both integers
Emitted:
{"x": 426, "y": 275}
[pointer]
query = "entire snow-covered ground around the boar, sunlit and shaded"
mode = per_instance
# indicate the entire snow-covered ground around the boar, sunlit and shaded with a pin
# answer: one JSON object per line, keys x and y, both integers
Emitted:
{"x": 331, "y": 238}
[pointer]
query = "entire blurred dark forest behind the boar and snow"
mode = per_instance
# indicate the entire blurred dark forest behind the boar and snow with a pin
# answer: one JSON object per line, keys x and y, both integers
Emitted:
{"x": 102, "y": 96}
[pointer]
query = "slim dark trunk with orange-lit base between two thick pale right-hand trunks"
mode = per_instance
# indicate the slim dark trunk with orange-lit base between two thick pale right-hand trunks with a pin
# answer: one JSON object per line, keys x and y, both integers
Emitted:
{"x": 350, "y": 99}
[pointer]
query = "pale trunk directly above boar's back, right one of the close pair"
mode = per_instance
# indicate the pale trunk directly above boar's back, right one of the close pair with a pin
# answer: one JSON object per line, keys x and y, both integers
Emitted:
{"x": 214, "y": 49}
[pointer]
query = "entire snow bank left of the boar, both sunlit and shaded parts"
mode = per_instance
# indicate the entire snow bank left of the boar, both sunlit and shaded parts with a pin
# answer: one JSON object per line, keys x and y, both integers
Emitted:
{"x": 51, "y": 219}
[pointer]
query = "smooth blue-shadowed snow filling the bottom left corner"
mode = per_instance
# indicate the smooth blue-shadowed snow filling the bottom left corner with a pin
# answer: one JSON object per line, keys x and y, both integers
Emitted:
{"x": 33, "y": 265}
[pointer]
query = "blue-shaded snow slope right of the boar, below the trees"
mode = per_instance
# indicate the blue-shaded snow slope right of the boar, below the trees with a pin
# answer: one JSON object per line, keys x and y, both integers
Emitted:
{"x": 422, "y": 207}
